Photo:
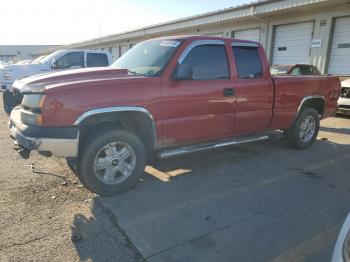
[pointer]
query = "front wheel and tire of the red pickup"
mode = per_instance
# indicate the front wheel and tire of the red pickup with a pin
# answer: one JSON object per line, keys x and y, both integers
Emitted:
{"x": 111, "y": 162}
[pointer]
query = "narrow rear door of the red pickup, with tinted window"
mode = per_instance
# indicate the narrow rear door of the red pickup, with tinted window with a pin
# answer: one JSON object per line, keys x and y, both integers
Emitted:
{"x": 254, "y": 88}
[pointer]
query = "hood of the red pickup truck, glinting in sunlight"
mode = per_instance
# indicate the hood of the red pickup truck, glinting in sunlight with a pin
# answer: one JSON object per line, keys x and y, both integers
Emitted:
{"x": 42, "y": 82}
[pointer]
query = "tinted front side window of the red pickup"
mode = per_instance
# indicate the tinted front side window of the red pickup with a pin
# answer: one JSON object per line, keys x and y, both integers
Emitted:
{"x": 205, "y": 62}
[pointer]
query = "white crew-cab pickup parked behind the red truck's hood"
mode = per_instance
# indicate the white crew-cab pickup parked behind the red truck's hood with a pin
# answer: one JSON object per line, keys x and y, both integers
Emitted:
{"x": 59, "y": 60}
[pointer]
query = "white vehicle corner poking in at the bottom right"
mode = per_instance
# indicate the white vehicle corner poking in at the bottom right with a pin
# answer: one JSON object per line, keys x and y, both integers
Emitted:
{"x": 341, "y": 252}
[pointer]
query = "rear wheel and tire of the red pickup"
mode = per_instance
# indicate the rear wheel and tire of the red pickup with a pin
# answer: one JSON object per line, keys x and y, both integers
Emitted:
{"x": 303, "y": 133}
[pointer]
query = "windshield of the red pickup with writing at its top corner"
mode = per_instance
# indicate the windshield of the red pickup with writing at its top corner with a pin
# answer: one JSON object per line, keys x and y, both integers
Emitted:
{"x": 148, "y": 58}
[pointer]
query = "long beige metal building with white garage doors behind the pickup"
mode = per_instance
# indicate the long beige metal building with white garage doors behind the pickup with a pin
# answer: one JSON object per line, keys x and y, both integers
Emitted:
{"x": 292, "y": 31}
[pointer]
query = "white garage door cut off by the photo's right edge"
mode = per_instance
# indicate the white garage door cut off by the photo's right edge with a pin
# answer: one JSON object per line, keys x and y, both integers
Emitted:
{"x": 339, "y": 61}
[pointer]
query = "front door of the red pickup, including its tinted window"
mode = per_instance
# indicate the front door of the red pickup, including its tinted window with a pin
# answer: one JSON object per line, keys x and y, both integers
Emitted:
{"x": 201, "y": 106}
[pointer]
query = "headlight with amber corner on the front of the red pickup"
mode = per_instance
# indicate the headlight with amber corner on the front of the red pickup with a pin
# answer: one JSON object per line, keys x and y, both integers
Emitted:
{"x": 32, "y": 103}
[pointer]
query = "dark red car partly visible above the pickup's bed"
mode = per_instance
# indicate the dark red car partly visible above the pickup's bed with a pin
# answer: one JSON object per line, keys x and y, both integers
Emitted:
{"x": 295, "y": 70}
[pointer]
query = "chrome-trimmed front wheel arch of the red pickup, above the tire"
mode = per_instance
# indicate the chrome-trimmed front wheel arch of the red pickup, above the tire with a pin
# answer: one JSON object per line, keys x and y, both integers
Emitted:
{"x": 137, "y": 119}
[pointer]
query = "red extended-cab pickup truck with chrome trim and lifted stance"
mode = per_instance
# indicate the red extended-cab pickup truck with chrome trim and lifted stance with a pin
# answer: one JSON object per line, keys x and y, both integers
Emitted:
{"x": 166, "y": 96}
